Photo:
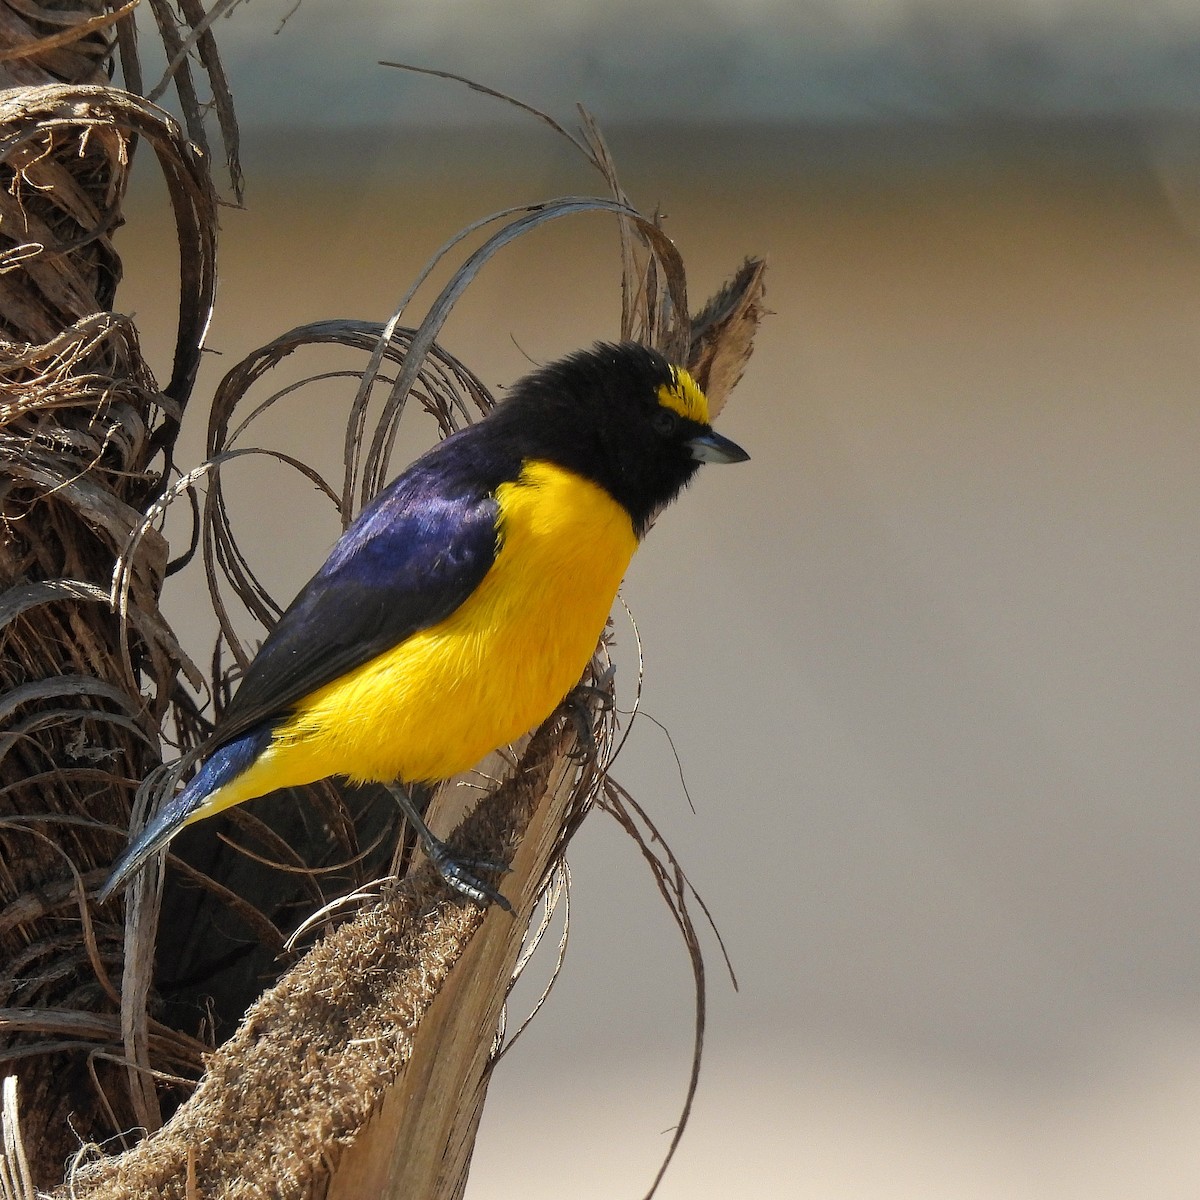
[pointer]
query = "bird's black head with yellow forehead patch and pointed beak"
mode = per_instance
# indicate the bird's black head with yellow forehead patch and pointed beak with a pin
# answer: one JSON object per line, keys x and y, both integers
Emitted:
{"x": 625, "y": 418}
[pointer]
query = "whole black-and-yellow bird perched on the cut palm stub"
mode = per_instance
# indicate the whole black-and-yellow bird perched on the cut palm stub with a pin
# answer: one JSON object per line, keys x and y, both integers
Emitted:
{"x": 463, "y": 605}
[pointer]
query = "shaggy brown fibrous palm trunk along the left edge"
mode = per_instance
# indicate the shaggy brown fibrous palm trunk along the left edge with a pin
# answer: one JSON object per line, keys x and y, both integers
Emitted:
{"x": 85, "y": 446}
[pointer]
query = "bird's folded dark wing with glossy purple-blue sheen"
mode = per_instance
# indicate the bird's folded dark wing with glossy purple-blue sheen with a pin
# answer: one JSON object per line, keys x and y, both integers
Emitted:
{"x": 407, "y": 562}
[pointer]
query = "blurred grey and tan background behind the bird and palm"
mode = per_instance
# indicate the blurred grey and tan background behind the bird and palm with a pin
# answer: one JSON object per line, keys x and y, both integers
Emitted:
{"x": 929, "y": 661}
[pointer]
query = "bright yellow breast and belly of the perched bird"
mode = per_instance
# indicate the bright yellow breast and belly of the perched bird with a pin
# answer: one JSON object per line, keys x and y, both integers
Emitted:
{"x": 491, "y": 671}
